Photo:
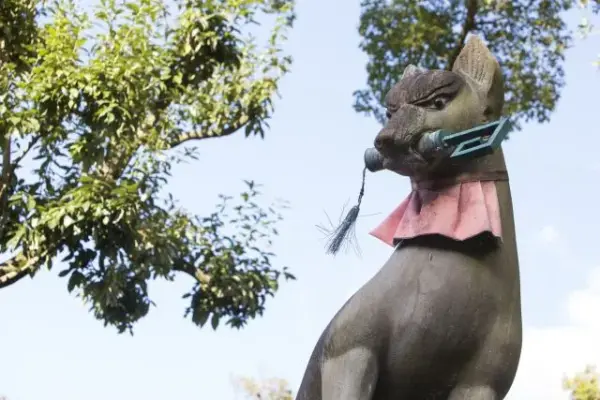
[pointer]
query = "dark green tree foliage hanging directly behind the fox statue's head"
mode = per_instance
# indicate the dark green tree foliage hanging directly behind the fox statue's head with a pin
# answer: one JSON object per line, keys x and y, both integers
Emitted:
{"x": 529, "y": 38}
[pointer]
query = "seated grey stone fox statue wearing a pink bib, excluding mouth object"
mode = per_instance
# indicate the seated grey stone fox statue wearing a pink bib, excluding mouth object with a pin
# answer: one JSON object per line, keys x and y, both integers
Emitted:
{"x": 442, "y": 318}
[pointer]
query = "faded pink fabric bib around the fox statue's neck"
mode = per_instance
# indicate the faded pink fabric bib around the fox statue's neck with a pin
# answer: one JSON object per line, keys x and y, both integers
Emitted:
{"x": 458, "y": 212}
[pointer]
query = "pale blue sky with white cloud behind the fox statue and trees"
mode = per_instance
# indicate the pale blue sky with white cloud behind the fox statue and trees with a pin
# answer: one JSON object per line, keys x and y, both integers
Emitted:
{"x": 52, "y": 348}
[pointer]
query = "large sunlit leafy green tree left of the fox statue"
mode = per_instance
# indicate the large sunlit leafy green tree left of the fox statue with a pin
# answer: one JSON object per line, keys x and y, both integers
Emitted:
{"x": 97, "y": 106}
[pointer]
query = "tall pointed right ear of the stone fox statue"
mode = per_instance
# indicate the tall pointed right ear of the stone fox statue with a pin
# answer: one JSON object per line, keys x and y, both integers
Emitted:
{"x": 477, "y": 64}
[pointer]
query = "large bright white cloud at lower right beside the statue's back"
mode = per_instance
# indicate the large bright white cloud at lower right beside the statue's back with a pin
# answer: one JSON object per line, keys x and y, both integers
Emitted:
{"x": 550, "y": 353}
